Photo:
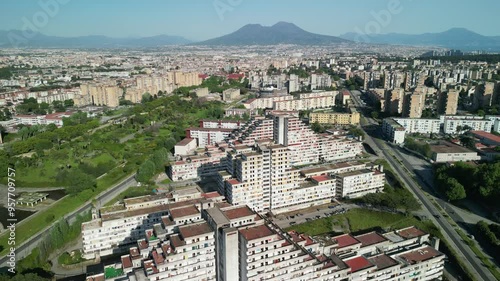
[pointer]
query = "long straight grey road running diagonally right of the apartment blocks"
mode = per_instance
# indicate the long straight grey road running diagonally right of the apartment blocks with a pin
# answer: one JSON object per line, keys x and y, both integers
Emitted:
{"x": 470, "y": 260}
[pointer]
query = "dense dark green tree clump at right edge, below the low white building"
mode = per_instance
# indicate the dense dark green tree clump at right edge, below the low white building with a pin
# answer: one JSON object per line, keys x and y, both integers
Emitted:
{"x": 463, "y": 180}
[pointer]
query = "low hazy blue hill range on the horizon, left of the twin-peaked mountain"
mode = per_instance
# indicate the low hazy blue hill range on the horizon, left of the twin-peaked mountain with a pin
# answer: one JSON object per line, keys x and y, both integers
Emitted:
{"x": 16, "y": 38}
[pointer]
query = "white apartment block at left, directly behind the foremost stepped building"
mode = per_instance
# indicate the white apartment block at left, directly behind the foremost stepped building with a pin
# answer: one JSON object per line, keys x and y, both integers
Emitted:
{"x": 117, "y": 227}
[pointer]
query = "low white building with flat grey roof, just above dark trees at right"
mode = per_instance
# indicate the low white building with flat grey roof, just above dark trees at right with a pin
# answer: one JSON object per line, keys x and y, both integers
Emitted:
{"x": 445, "y": 152}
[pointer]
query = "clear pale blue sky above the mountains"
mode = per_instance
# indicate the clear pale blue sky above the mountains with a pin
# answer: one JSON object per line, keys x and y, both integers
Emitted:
{"x": 204, "y": 19}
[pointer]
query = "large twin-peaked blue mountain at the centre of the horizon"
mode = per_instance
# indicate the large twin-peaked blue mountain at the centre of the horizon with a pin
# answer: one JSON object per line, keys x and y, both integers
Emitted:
{"x": 280, "y": 33}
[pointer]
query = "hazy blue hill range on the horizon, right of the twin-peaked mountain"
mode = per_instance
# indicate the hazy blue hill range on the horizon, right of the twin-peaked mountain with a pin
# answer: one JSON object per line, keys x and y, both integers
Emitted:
{"x": 455, "y": 38}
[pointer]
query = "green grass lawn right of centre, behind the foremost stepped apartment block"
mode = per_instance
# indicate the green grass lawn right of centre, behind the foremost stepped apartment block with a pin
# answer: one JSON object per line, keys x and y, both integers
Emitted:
{"x": 362, "y": 219}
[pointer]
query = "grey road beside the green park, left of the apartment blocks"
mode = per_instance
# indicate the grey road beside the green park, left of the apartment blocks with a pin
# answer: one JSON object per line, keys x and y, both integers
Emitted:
{"x": 26, "y": 247}
